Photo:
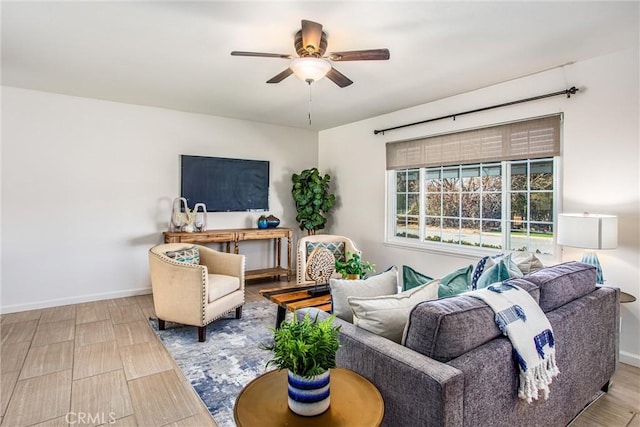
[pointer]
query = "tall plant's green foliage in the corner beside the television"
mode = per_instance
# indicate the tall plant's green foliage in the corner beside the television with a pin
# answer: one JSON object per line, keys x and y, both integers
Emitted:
{"x": 312, "y": 199}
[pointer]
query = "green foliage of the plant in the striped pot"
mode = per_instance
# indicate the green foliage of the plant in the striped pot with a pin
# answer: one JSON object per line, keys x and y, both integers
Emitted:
{"x": 306, "y": 347}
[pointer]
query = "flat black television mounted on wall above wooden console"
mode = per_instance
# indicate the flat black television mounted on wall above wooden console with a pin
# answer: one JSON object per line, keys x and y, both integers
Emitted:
{"x": 225, "y": 185}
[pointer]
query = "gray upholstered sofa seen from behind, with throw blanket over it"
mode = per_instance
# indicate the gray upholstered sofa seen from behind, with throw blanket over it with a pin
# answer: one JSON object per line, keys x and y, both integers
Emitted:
{"x": 456, "y": 368}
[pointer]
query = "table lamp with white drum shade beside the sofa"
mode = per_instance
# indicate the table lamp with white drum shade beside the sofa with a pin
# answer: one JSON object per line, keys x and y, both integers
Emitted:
{"x": 589, "y": 231}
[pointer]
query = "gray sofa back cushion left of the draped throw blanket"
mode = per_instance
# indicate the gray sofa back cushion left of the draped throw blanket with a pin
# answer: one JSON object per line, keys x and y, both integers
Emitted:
{"x": 446, "y": 328}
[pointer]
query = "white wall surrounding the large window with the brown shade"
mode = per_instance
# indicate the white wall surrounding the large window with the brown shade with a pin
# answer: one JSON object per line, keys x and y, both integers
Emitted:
{"x": 600, "y": 163}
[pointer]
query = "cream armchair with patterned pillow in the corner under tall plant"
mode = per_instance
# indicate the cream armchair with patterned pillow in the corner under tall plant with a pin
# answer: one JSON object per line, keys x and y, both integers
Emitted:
{"x": 338, "y": 245}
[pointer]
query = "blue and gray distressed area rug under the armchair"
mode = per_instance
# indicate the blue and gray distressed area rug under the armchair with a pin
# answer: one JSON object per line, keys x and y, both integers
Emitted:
{"x": 232, "y": 356}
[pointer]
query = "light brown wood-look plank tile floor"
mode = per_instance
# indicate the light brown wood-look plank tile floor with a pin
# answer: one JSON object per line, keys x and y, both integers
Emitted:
{"x": 100, "y": 363}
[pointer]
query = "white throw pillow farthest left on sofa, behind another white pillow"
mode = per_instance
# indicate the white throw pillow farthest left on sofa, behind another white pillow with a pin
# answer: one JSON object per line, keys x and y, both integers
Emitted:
{"x": 341, "y": 289}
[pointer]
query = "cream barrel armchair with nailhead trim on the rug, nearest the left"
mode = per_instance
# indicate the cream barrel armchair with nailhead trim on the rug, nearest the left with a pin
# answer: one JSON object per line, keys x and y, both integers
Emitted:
{"x": 195, "y": 294}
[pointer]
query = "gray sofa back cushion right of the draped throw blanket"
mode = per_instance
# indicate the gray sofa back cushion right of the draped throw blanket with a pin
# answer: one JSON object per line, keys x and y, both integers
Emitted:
{"x": 563, "y": 283}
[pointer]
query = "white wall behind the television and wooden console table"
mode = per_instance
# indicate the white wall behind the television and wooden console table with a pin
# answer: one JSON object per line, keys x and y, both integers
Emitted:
{"x": 87, "y": 187}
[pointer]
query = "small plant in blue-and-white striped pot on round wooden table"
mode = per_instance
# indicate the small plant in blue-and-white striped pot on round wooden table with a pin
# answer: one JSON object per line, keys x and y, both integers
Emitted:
{"x": 307, "y": 349}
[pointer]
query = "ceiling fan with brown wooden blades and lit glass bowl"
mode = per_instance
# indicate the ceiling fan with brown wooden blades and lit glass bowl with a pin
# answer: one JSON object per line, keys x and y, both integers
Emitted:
{"x": 311, "y": 65}
